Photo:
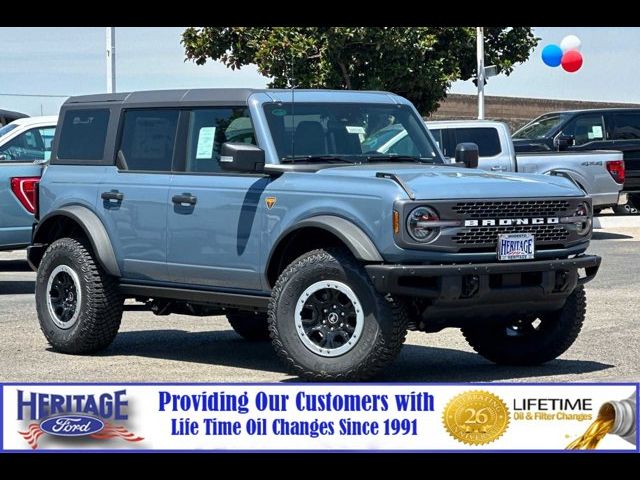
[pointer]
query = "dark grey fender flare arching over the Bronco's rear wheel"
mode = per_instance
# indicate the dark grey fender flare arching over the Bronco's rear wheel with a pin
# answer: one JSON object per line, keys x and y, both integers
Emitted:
{"x": 93, "y": 228}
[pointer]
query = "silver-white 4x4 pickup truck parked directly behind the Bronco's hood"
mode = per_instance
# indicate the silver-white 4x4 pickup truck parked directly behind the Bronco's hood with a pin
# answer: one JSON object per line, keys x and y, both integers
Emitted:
{"x": 600, "y": 173}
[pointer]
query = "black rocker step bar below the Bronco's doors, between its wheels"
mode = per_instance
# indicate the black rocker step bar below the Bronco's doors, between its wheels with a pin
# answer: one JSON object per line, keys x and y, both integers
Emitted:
{"x": 196, "y": 296}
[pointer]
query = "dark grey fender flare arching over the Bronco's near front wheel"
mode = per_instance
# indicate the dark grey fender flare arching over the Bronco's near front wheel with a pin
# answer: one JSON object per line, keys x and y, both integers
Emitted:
{"x": 350, "y": 234}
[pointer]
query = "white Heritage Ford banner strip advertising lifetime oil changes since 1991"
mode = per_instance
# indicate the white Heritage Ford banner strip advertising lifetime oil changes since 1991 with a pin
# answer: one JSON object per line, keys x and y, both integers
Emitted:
{"x": 318, "y": 417}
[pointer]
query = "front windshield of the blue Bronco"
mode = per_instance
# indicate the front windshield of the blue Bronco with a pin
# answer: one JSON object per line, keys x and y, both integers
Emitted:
{"x": 348, "y": 131}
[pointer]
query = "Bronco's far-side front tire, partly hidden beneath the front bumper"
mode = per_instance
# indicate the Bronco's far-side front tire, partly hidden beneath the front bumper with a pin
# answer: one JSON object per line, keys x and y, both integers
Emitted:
{"x": 556, "y": 333}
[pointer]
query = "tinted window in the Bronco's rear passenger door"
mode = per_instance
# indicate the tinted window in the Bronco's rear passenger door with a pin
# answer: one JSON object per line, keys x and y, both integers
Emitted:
{"x": 148, "y": 139}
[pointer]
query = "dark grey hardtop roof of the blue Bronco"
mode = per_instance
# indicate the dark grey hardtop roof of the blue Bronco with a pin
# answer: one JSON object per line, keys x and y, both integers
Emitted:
{"x": 233, "y": 95}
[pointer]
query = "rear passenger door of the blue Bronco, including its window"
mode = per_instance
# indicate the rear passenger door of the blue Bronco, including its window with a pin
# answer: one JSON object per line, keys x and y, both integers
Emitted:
{"x": 134, "y": 195}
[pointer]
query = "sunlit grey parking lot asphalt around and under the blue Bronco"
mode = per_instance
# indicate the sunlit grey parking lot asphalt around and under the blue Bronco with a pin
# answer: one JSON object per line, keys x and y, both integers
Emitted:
{"x": 180, "y": 348}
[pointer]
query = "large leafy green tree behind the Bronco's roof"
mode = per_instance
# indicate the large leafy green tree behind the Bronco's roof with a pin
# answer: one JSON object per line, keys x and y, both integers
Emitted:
{"x": 417, "y": 63}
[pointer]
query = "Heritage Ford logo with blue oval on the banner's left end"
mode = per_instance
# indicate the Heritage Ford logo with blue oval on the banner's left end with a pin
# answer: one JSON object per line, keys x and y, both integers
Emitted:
{"x": 75, "y": 415}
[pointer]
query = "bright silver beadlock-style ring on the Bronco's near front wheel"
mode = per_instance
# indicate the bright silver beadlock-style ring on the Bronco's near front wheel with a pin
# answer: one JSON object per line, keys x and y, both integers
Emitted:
{"x": 359, "y": 314}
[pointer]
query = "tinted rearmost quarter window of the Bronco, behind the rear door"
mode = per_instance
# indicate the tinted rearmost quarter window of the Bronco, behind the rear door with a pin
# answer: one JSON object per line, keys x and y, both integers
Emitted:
{"x": 83, "y": 134}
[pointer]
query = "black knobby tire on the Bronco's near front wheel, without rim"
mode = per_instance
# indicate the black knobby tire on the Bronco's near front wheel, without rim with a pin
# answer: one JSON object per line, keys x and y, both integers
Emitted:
{"x": 384, "y": 326}
